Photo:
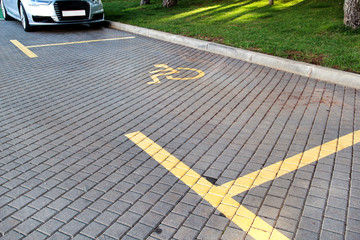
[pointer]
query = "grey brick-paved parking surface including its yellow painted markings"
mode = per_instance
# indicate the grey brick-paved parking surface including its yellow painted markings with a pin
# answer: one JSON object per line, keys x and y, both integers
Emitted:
{"x": 111, "y": 135}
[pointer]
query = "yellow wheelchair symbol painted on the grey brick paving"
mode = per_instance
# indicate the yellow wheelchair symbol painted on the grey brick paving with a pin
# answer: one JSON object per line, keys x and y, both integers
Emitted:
{"x": 169, "y": 71}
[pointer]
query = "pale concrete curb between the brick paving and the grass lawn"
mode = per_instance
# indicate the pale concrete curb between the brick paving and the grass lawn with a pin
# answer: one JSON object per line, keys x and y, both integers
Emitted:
{"x": 304, "y": 69}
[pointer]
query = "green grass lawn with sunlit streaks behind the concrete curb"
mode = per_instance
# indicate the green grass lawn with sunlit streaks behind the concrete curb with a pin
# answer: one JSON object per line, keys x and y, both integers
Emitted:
{"x": 305, "y": 30}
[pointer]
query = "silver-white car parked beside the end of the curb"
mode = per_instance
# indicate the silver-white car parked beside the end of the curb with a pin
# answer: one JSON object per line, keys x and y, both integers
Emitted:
{"x": 53, "y": 12}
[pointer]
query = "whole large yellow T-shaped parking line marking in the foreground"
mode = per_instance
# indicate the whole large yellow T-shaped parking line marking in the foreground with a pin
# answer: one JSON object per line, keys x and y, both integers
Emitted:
{"x": 220, "y": 197}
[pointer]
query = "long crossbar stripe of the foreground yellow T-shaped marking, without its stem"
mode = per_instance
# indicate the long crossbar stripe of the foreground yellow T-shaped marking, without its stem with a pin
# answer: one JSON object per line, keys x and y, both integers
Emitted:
{"x": 240, "y": 215}
